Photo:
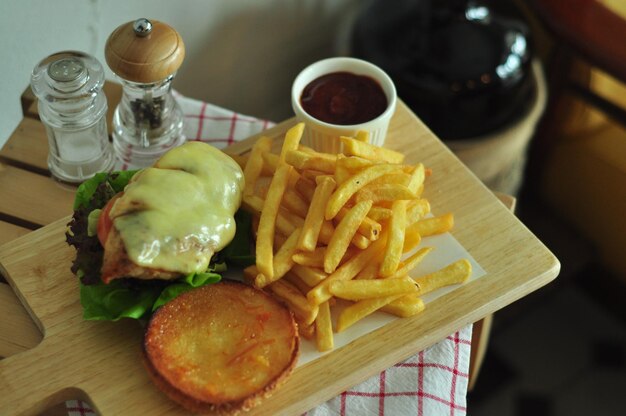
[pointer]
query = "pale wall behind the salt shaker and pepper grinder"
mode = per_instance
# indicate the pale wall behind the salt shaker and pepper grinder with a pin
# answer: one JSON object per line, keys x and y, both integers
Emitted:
{"x": 240, "y": 54}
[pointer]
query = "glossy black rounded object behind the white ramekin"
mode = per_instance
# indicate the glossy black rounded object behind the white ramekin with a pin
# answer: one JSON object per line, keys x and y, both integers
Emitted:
{"x": 462, "y": 66}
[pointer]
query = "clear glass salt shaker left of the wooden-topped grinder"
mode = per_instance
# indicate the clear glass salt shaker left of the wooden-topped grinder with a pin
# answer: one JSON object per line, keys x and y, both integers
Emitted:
{"x": 72, "y": 107}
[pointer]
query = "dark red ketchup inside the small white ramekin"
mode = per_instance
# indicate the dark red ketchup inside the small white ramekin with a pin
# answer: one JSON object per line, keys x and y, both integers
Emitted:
{"x": 344, "y": 98}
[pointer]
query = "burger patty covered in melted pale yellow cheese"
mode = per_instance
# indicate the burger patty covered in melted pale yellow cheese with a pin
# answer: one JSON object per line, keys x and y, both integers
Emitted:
{"x": 176, "y": 214}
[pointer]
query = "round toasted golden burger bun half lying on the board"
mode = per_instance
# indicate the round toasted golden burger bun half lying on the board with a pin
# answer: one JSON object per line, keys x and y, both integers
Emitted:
{"x": 221, "y": 348}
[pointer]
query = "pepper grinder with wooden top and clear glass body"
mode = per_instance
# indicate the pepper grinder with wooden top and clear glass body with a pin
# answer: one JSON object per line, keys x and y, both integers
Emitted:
{"x": 145, "y": 55}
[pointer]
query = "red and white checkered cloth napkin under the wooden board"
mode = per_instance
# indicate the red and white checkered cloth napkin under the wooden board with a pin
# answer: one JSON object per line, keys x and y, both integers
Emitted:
{"x": 432, "y": 382}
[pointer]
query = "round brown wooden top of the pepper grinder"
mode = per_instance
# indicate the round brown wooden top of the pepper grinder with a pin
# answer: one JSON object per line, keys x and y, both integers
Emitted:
{"x": 144, "y": 51}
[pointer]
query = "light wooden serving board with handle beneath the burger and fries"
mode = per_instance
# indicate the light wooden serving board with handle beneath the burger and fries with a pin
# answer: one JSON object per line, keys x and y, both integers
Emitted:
{"x": 99, "y": 362}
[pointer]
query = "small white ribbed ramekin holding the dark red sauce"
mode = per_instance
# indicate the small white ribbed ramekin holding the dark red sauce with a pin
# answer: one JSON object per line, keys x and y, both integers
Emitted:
{"x": 324, "y": 137}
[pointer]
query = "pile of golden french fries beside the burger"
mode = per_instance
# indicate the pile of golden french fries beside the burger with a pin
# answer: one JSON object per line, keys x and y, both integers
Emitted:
{"x": 338, "y": 235}
